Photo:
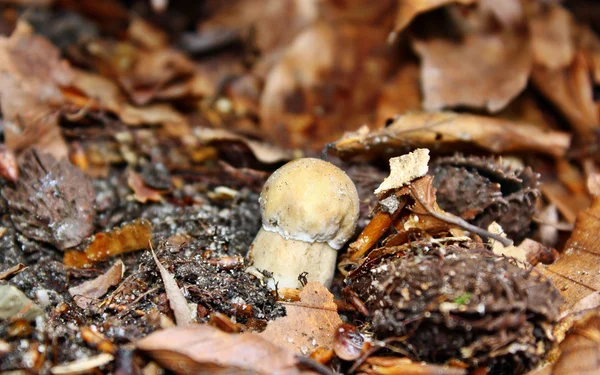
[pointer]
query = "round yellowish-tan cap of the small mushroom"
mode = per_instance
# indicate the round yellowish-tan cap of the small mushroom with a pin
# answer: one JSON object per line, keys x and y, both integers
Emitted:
{"x": 310, "y": 200}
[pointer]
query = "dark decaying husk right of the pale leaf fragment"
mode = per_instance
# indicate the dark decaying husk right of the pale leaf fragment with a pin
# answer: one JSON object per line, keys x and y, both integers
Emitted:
{"x": 482, "y": 190}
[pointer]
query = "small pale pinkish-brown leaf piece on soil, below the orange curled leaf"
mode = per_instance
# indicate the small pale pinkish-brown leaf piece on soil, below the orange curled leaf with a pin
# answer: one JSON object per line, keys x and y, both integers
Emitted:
{"x": 85, "y": 293}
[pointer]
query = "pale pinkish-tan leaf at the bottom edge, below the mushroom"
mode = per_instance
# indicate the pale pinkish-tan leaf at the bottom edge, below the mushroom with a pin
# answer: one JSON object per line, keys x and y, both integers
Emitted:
{"x": 202, "y": 349}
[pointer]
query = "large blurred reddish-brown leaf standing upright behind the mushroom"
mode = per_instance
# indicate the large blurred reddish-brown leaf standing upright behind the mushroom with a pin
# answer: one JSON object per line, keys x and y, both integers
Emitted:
{"x": 325, "y": 83}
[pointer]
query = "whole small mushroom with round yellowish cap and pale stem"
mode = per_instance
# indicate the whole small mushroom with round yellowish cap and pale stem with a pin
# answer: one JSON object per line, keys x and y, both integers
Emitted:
{"x": 309, "y": 210}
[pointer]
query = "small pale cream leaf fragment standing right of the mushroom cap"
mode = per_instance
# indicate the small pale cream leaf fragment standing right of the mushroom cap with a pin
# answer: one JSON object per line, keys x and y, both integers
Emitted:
{"x": 404, "y": 169}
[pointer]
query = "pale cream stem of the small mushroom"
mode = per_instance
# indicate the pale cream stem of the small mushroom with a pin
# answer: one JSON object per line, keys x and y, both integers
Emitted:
{"x": 288, "y": 259}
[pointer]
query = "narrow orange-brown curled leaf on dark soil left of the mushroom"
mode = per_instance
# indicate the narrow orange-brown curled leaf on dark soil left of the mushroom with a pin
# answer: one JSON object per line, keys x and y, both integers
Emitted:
{"x": 129, "y": 237}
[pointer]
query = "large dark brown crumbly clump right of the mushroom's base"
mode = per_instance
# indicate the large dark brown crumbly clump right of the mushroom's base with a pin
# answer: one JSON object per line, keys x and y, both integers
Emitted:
{"x": 480, "y": 308}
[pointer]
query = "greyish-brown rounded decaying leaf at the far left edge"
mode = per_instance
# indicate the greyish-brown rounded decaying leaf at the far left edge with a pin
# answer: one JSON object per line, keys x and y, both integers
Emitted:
{"x": 53, "y": 201}
